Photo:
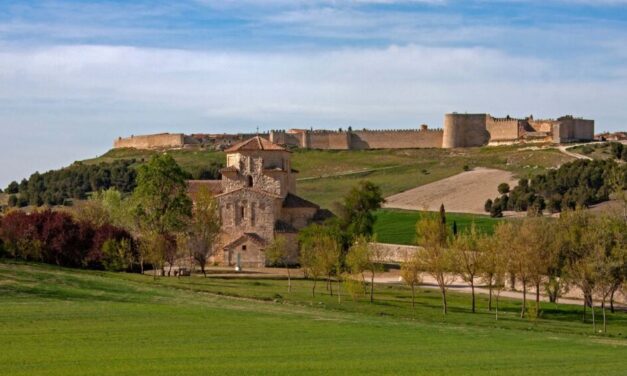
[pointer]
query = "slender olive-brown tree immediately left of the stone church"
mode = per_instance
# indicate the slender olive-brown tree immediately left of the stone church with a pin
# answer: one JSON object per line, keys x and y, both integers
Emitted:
{"x": 203, "y": 229}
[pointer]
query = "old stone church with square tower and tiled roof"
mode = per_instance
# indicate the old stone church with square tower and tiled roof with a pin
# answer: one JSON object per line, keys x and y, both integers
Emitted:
{"x": 258, "y": 202}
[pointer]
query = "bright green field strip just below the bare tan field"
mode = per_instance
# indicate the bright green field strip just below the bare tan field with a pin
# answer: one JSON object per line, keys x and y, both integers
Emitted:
{"x": 396, "y": 226}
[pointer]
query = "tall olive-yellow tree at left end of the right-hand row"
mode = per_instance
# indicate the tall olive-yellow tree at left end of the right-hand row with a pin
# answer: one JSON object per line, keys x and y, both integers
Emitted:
{"x": 435, "y": 257}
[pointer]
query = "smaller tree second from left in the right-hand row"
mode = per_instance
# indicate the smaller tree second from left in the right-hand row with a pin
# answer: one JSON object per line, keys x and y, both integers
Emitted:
{"x": 467, "y": 258}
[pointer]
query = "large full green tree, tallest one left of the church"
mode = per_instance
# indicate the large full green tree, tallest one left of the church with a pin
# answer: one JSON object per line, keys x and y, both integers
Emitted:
{"x": 160, "y": 202}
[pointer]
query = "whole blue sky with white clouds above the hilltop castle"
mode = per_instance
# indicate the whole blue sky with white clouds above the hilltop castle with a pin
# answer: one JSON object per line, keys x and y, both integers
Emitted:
{"x": 74, "y": 75}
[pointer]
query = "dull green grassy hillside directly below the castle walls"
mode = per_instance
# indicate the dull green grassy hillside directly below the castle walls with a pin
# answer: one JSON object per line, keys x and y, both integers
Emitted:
{"x": 393, "y": 170}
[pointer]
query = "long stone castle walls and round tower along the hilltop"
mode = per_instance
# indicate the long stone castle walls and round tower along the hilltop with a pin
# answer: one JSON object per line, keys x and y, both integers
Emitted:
{"x": 459, "y": 130}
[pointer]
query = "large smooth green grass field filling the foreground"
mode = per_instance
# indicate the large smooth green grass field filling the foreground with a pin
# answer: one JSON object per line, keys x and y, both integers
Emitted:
{"x": 58, "y": 321}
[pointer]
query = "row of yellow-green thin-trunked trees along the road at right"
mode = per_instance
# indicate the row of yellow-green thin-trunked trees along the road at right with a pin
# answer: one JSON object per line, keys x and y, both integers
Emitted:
{"x": 580, "y": 249}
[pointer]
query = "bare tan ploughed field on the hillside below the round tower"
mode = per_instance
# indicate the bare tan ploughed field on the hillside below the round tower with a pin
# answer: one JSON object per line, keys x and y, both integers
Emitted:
{"x": 463, "y": 193}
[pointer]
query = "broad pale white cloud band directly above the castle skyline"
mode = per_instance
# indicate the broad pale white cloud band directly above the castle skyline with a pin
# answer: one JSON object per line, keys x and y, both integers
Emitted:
{"x": 76, "y": 99}
